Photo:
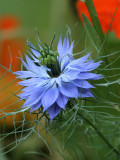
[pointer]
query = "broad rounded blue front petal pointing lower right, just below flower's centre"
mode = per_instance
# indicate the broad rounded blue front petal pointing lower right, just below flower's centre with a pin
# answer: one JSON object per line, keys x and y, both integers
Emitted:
{"x": 69, "y": 90}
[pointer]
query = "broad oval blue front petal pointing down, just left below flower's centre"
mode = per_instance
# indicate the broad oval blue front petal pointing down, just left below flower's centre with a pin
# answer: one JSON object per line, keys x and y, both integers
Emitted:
{"x": 50, "y": 97}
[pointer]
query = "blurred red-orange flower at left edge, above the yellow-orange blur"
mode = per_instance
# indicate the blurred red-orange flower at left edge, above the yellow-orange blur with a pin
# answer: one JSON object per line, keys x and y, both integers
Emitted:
{"x": 9, "y": 26}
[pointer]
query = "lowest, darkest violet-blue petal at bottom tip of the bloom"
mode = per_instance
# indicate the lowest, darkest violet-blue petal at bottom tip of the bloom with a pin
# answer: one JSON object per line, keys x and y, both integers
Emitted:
{"x": 53, "y": 111}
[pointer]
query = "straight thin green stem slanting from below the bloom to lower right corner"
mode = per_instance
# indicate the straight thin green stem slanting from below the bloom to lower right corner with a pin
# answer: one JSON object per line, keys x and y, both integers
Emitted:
{"x": 100, "y": 134}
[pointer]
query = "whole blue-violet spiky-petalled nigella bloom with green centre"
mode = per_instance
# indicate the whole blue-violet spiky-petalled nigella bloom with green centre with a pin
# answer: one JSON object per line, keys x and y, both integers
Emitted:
{"x": 51, "y": 78}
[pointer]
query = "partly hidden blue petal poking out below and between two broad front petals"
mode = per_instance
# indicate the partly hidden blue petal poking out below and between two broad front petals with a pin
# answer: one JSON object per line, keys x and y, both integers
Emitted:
{"x": 62, "y": 101}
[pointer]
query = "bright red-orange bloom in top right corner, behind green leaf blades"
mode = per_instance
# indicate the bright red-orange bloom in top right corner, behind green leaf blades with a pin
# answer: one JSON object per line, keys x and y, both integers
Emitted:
{"x": 105, "y": 10}
